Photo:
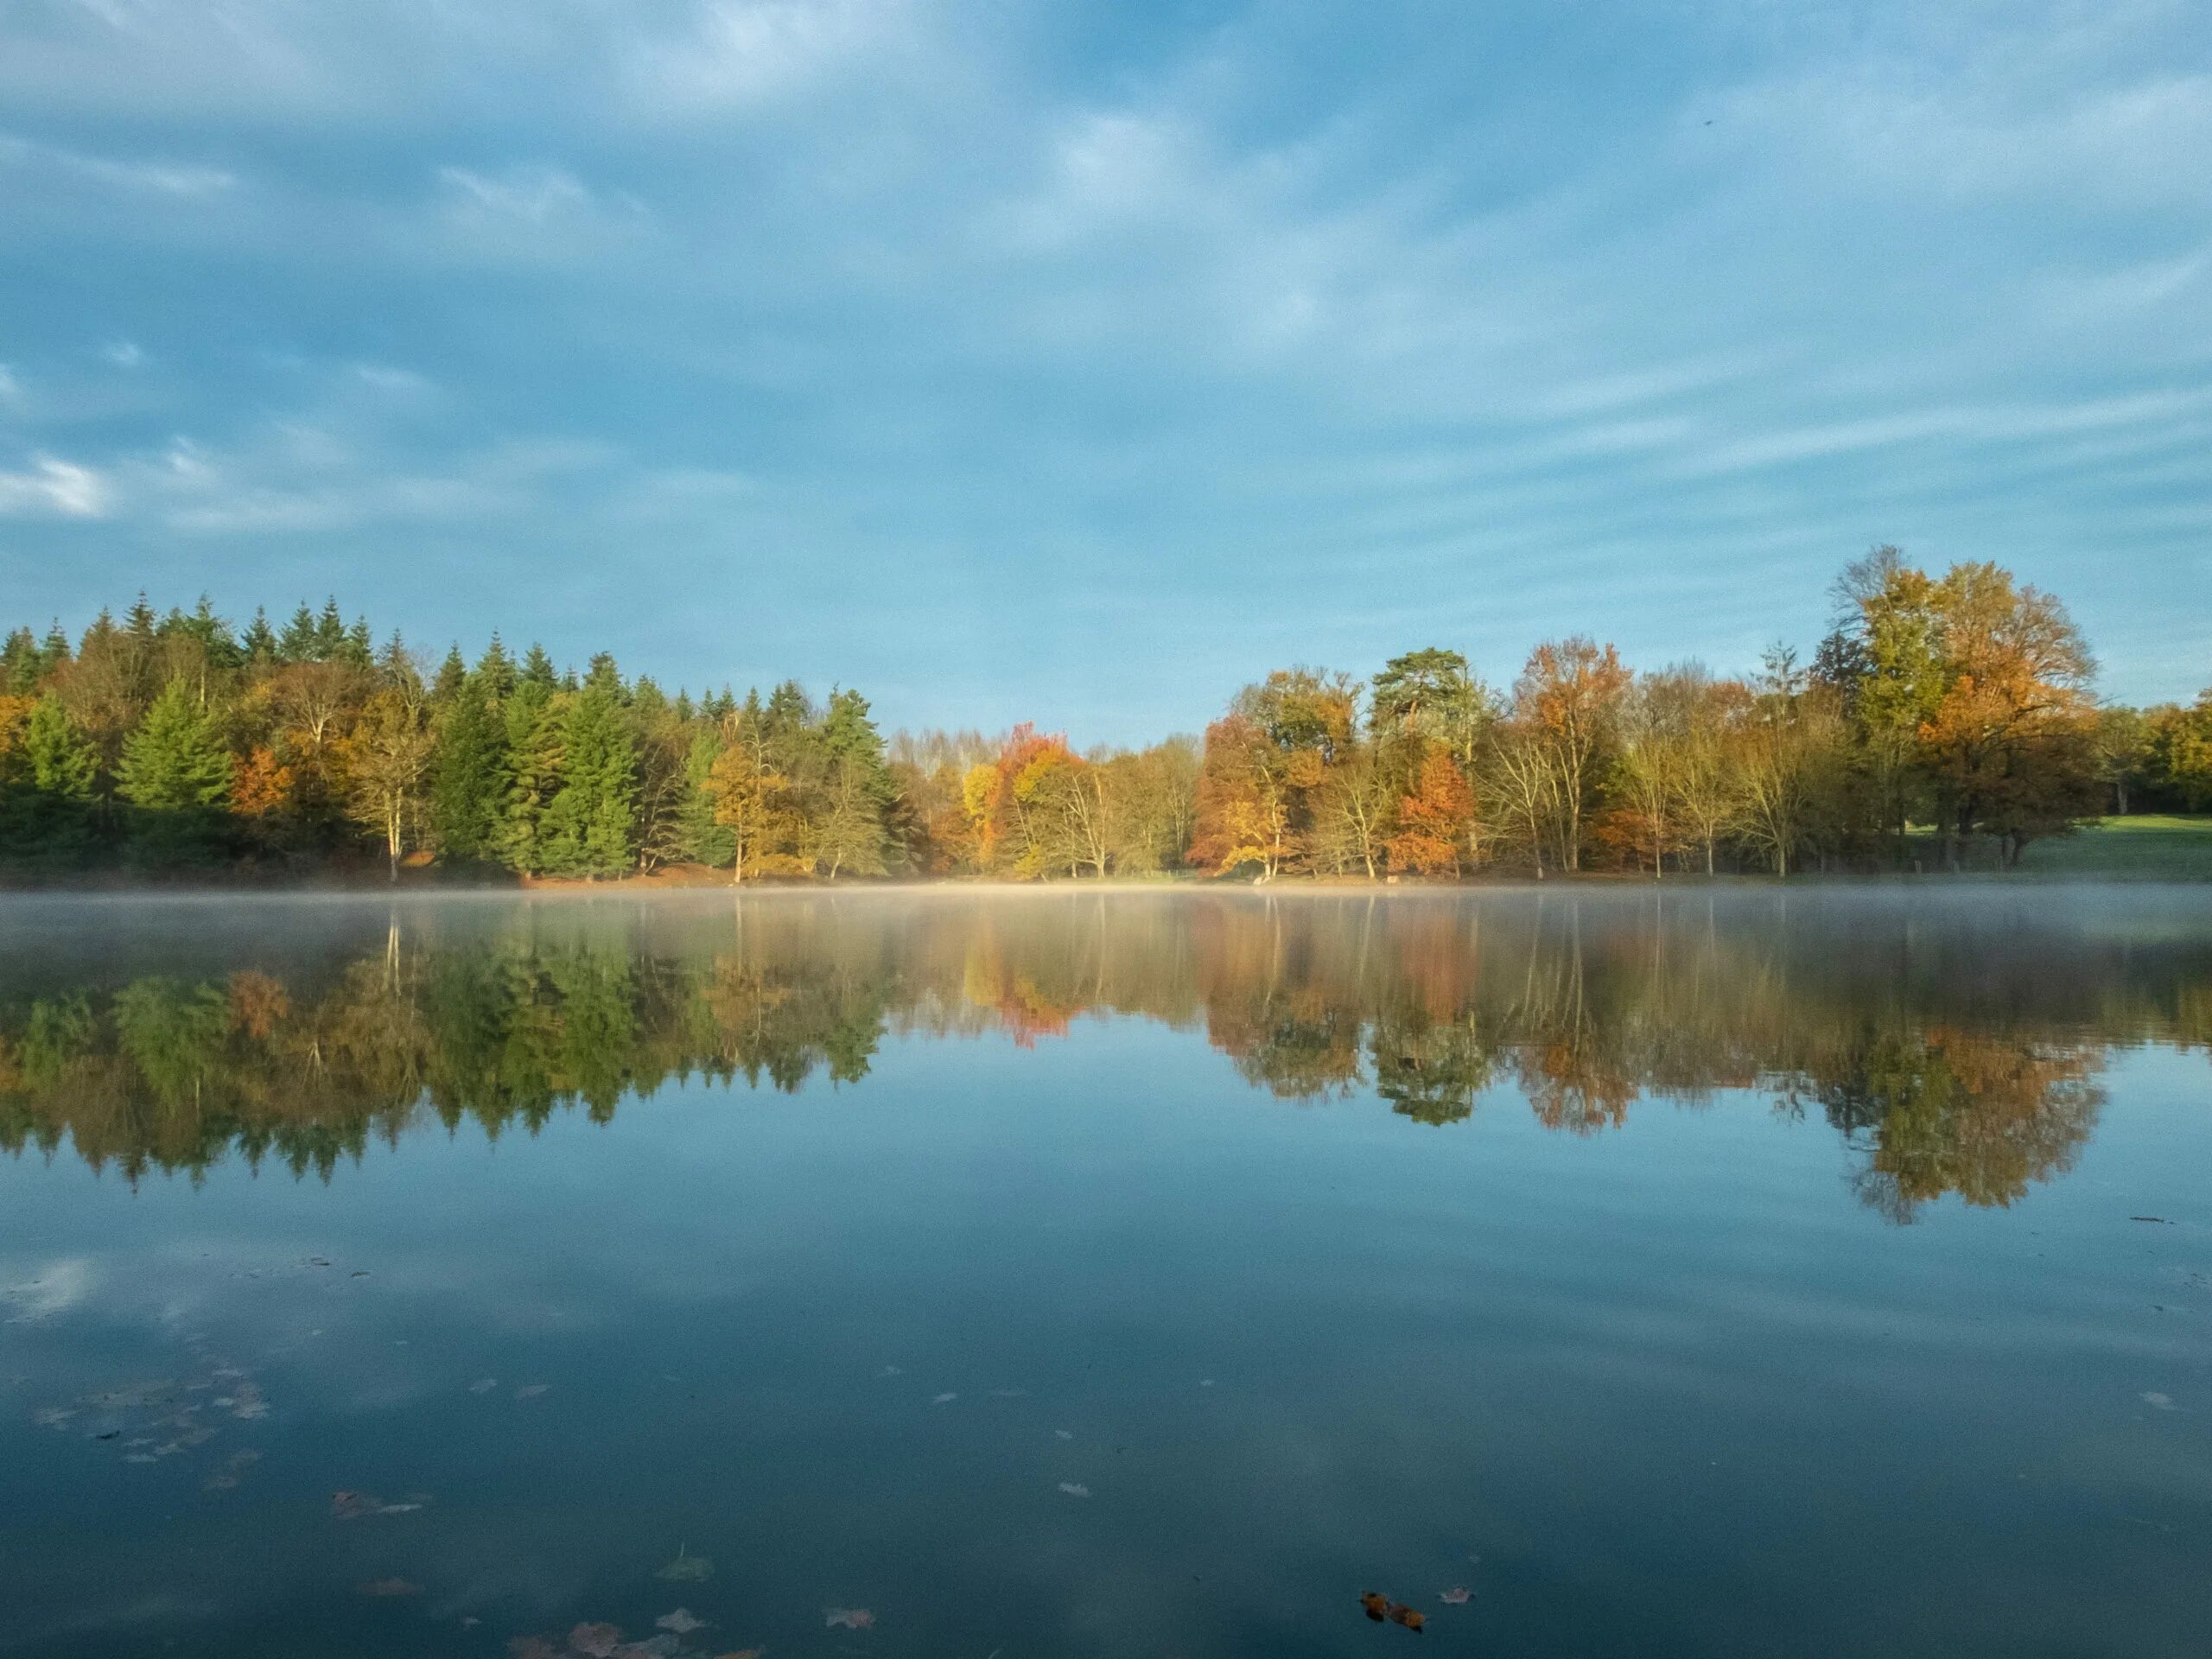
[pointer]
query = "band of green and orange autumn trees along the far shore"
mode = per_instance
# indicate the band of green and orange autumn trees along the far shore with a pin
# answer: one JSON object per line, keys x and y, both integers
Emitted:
{"x": 1945, "y": 720}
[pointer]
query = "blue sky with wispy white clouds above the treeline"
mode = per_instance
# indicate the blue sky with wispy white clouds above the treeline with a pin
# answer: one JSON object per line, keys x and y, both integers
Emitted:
{"x": 1085, "y": 362}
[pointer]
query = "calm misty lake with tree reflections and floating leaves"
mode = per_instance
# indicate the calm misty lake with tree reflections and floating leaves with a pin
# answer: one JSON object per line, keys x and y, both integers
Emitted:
{"x": 1109, "y": 1273}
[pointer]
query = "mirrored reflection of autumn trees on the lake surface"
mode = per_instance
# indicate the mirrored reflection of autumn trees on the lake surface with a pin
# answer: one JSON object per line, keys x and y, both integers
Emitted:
{"x": 1957, "y": 1047}
